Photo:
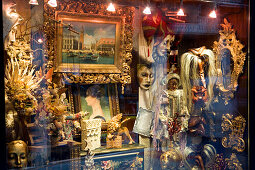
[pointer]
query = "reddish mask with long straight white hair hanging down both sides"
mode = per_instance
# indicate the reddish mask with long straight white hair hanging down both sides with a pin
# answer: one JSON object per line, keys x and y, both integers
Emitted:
{"x": 198, "y": 77}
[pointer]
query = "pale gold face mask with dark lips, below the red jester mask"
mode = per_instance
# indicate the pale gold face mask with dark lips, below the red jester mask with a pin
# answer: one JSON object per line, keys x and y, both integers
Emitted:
{"x": 145, "y": 77}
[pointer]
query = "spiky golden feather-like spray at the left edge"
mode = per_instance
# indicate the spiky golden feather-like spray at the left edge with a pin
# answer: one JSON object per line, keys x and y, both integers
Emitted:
{"x": 20, "y": 83}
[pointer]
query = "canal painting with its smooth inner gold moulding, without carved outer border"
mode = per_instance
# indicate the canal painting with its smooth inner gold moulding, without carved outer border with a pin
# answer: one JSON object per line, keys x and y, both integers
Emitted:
{"x": 88, "y": 43}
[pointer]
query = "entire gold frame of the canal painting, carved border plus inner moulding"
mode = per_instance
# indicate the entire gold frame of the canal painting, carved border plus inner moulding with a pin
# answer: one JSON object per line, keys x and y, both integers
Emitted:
{"x": 69, "y": 14}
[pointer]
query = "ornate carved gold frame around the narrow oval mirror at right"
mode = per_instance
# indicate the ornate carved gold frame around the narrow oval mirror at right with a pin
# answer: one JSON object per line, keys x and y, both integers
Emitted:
{"x": 228, "y": 41}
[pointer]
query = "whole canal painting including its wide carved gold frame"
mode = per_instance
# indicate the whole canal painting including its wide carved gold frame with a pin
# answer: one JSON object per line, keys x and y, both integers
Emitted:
{"x": 87, "y": 44}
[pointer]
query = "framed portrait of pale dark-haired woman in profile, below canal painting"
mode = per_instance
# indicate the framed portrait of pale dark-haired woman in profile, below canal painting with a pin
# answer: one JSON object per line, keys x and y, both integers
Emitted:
{"x": 99, "y": 100}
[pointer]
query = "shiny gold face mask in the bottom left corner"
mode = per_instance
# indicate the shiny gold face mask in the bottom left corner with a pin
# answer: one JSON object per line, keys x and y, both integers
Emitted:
{"x": 17, "y": 154}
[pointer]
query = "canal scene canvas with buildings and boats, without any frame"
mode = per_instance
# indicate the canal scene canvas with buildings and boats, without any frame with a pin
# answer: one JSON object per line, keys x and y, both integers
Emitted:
{"x": 88, "y": 43}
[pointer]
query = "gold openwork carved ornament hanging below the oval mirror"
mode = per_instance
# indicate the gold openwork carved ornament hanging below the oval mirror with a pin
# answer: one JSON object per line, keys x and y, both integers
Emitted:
{"x": 236, "y": 126}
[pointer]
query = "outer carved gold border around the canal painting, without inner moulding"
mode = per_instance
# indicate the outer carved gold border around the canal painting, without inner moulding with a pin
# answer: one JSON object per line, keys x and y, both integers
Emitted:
{"x": 94, "y": 9}
